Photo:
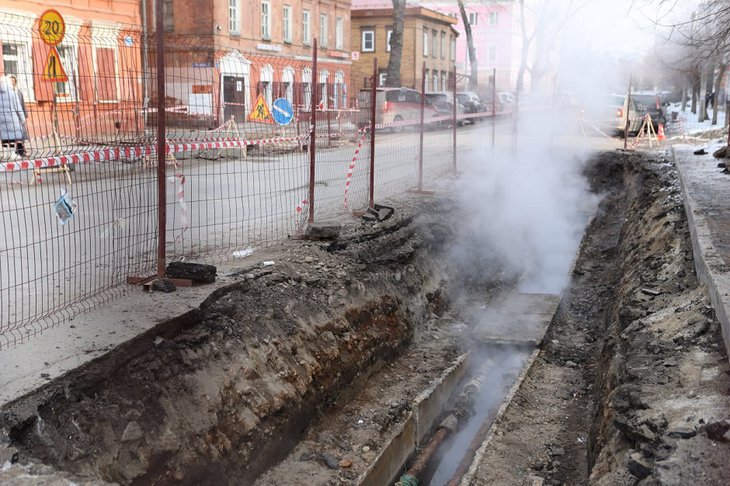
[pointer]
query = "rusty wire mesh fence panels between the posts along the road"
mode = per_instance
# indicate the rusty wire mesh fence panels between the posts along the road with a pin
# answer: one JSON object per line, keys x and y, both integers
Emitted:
{"x": 79, "y": 204}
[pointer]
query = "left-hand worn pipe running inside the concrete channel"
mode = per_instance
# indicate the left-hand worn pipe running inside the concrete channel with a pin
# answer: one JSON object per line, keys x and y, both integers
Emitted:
{"x": 450, "y": 424}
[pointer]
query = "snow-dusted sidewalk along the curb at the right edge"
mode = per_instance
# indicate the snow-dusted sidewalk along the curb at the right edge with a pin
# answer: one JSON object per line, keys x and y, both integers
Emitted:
{"x": 705, "y": 188}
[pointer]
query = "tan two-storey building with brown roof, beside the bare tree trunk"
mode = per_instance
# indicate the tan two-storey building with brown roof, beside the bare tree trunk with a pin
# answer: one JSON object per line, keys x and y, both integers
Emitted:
{"x": 428, "y": 38}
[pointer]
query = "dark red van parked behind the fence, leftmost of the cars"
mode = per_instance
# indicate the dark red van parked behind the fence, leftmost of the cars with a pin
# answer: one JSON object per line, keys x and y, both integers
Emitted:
{"x": 393, "y": 105}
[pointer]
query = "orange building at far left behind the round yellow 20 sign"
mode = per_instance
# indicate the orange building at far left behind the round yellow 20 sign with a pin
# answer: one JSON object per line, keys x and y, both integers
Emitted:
{"x": 99, "y": 52}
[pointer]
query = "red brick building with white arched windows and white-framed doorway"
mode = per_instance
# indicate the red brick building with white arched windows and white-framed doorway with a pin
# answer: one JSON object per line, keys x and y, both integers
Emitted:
{"x": 226, "y": 54}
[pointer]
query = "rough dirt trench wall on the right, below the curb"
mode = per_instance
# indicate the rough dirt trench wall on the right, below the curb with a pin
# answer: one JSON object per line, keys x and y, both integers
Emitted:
{"x": 651, "y": 413}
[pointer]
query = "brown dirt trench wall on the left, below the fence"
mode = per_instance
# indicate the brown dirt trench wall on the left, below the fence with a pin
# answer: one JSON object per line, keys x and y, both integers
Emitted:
{"x": 221, "y": 394}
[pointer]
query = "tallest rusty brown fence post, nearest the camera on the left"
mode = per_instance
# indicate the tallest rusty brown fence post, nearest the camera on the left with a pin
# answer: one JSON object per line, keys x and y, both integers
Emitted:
{"x": 161, "y": 145}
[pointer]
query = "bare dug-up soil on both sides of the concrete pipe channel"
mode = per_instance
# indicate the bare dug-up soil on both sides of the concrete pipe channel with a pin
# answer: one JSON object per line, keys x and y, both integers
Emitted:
{"x": 316, "y": 360}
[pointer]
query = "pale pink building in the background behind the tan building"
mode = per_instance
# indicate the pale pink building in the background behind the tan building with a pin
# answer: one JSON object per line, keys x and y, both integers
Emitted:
{"x": 497, "y": 36}
